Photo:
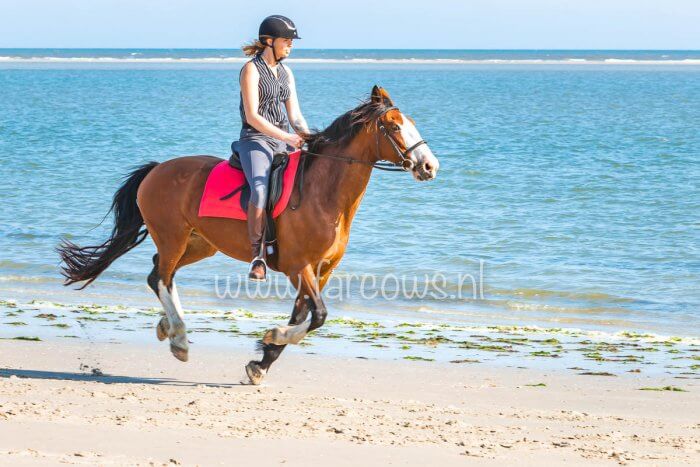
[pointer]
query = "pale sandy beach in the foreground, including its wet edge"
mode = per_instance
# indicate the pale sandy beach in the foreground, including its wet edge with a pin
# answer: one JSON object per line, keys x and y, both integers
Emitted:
{"x": 113, "y": 399}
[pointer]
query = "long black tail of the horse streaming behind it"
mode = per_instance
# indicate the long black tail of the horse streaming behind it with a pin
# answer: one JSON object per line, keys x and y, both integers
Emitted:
{"x": 86, "y": 263}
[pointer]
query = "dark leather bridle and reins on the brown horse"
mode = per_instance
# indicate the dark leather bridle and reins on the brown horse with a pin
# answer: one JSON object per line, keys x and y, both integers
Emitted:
{"x": 404, "y": 165}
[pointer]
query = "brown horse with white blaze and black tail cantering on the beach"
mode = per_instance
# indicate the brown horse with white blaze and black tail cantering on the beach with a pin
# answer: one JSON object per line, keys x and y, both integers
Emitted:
{"x": 311, "y": 239}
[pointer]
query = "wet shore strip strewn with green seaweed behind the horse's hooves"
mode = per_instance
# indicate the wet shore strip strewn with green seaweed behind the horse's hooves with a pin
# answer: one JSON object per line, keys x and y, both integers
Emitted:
{"x": 389, "y": 338}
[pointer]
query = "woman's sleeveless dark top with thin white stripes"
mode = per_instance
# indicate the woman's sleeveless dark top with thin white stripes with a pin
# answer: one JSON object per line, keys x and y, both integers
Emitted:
{"x": 273, "y": 91}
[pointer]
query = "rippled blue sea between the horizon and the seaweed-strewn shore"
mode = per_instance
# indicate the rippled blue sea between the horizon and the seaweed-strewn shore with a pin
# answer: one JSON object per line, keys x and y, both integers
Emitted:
{"x": 568, "y": 193}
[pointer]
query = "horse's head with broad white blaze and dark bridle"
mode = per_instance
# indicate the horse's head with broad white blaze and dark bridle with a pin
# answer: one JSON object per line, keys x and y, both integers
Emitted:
{"x": 399, "y": 140}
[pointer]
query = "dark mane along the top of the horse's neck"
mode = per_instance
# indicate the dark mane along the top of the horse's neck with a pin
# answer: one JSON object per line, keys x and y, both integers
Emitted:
{"x": 346, "y": 127}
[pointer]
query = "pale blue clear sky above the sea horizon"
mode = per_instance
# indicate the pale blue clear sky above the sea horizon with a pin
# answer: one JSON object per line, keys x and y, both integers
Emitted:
{"x": 356, "y": 24}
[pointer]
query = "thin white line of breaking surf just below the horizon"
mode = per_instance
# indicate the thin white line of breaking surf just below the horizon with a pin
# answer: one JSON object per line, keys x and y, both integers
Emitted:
{"x": 379, "y": 61}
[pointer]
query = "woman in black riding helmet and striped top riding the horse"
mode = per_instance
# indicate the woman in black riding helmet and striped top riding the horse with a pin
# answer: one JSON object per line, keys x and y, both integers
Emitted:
{"x": 268, "y": 104}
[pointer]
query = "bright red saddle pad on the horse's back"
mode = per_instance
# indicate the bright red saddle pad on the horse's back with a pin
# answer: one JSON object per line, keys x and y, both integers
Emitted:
{"x": 223, "y": 179}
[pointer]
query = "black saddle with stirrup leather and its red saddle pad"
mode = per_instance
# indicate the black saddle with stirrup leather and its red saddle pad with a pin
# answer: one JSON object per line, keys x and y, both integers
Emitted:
{"x": 226, "y": 192}
